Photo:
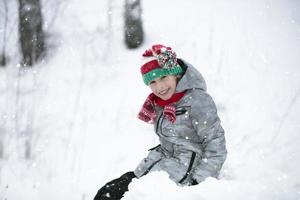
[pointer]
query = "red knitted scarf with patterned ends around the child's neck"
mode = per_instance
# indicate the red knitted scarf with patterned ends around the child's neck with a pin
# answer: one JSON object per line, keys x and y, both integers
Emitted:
{"x": 147, "y": 112}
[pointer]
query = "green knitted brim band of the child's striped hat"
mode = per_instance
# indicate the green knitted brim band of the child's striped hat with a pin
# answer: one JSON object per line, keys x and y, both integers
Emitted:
{"x": 159, "y": 72}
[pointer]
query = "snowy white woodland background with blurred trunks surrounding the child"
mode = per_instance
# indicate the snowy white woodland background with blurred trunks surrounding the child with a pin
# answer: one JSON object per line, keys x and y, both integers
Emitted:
{"x": 68, "y": 106}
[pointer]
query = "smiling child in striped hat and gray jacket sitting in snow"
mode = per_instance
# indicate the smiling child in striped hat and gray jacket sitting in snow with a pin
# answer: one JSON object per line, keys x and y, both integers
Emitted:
{"x": 192, "y": 143}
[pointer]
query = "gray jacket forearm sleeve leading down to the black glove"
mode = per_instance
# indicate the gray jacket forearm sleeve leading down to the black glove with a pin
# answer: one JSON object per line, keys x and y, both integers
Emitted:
{"x": 154, "y": 156}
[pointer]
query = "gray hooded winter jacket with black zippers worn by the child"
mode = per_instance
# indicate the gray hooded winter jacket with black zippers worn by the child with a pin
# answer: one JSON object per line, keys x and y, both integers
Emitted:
{"x": 193, "y": 148}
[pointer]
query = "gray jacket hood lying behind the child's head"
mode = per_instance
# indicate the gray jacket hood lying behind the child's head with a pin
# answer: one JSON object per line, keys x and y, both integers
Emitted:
{"x": 191, "y": 78}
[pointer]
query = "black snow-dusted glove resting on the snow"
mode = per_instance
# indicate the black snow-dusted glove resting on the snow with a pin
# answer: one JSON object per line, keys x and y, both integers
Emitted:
{"x": 115, "y": 189}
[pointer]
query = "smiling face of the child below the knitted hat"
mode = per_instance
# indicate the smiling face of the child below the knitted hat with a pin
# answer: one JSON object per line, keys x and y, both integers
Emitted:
{"x": 164, "y": 87}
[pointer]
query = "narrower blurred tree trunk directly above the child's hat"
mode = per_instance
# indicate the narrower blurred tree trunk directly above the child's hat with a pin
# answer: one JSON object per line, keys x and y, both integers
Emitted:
{"x": 134, "y": 34}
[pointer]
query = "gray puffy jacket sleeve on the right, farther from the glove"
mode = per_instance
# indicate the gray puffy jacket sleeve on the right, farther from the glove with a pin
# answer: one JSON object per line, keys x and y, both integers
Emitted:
{"x": 207, "y": 124}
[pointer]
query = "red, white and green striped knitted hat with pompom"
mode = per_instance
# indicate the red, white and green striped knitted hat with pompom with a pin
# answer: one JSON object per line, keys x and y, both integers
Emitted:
{"x": 159, "y": 61}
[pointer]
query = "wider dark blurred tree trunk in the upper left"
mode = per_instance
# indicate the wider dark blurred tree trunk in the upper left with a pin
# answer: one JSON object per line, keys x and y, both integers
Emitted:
{"x": 31, "y": 31}
